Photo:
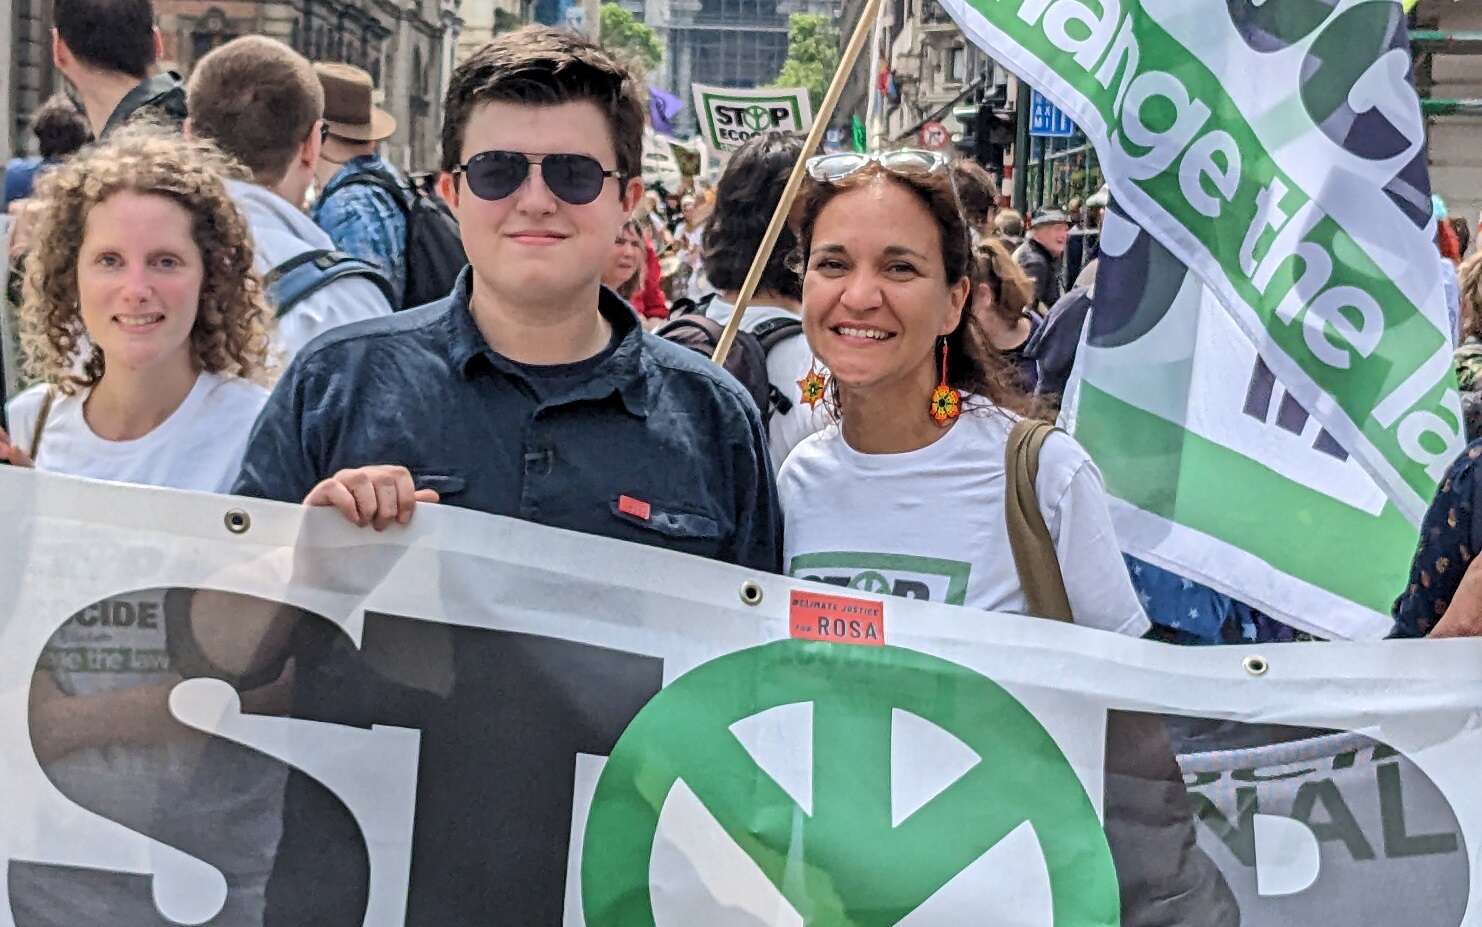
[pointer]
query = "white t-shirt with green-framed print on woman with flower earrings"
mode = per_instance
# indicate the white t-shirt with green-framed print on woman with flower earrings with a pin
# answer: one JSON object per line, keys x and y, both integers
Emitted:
{"x": 930, "y": 523}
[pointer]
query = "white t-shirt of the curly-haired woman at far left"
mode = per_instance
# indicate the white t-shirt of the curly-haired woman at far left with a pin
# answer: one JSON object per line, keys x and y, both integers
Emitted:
{"x": 201, "y": 446}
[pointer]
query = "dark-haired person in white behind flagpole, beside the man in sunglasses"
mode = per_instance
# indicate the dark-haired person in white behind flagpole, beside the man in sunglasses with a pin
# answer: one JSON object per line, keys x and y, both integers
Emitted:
{"x": 746, "y": 198}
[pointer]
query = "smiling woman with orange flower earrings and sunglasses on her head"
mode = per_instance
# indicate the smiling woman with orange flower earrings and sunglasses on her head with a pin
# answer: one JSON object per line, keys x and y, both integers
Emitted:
{"x": 936, "y": 482}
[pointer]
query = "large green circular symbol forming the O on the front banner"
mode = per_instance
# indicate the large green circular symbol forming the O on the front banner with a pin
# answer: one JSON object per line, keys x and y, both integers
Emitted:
{"x": 859, "y": 869}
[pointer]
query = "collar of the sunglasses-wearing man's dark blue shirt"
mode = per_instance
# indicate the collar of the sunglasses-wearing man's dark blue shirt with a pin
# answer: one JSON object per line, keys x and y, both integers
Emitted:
{"x": 623, "y": 372}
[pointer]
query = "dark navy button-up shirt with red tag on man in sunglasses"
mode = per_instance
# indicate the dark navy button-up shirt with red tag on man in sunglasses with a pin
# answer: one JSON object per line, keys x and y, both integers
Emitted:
{"x": 562, "y": 446}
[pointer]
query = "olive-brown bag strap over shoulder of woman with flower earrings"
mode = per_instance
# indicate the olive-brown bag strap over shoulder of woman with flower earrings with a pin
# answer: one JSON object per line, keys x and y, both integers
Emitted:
{"x": 1029, "y": 537}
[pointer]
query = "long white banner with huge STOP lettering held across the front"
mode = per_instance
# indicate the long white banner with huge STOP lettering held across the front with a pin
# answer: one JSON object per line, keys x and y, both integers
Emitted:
{"x": 238, "y": 713}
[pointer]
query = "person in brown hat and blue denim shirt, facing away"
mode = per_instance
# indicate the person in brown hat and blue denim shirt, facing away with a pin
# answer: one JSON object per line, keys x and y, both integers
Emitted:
{"x": 359, "y": 199}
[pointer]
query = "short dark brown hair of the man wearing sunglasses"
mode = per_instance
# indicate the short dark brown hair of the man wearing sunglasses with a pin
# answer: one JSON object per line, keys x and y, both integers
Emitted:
{"x": 543, "y": 67}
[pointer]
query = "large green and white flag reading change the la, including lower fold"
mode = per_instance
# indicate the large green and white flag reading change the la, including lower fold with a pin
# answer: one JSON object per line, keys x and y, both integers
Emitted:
{"x": 1278, "y": 152}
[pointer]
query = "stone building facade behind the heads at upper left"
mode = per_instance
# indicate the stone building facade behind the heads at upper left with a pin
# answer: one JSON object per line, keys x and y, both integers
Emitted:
{"x": 407, "y": 45}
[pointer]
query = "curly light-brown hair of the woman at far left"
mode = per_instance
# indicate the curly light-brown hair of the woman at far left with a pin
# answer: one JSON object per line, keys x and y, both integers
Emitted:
{"x": 230, "y": 334}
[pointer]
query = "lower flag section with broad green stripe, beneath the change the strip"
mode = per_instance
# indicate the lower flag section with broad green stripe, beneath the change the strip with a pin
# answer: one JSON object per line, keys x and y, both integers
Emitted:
{"x": 1216, "y": 472}
